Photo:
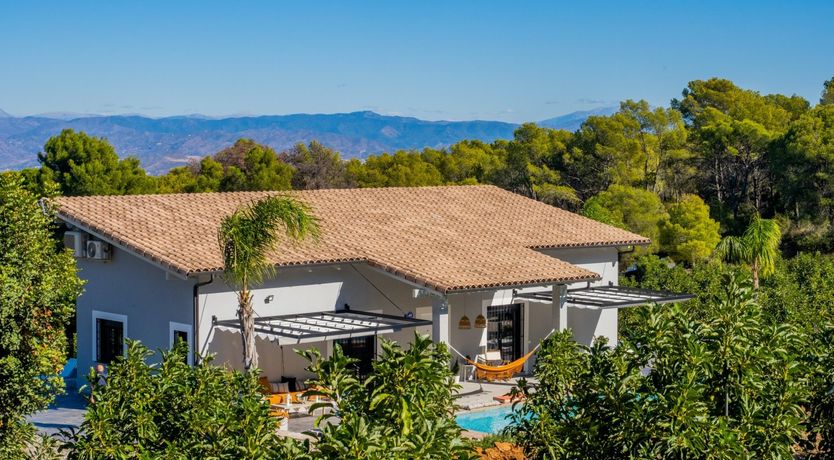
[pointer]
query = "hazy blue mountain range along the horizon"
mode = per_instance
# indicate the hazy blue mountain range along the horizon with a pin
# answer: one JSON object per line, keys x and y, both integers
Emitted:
{"x": 162, "y": 143}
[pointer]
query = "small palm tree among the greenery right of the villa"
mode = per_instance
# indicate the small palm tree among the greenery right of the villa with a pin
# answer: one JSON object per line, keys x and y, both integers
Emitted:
{"x": 758, "y": 247}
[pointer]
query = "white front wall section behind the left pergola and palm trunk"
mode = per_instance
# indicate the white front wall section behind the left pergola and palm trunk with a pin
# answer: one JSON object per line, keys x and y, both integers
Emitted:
{"x": 303, "y": 290}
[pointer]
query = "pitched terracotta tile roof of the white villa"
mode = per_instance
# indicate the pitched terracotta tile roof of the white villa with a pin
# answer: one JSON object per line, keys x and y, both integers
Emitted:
{"x": 449, "y": 238}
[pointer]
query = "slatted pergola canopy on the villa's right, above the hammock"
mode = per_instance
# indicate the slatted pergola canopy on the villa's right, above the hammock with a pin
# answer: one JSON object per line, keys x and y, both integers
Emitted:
{"x": 605, "y": 297}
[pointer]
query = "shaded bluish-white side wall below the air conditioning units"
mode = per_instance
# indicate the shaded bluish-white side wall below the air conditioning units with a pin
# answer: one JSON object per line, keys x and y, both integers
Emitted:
{"x": 130, "y": 286}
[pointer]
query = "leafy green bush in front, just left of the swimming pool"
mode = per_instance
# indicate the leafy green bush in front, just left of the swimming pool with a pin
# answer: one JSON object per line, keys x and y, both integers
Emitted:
{"x": 404, "y": 410}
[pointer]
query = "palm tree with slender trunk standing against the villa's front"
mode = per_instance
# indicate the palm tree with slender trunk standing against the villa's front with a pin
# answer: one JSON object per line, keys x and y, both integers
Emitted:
{"x": 245, "y": 238}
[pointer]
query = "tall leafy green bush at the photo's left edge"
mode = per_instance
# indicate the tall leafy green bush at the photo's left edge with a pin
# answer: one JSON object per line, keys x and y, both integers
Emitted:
{"x": 38, "y": 288}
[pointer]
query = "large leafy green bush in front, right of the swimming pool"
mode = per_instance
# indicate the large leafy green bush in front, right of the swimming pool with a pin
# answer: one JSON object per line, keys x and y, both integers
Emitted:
{"x": 720, "y": 385}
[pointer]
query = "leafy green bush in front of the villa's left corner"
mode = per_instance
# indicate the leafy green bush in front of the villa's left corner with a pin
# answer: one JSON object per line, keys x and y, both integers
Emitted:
{"x": 174, "y": 410}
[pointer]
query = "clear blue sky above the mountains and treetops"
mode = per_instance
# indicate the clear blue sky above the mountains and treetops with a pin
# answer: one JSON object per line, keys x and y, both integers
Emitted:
{"x": 514, "y": 61}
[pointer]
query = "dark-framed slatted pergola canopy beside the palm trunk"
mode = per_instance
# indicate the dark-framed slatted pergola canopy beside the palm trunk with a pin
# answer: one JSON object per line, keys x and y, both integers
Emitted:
{"x": 325, "y": 325}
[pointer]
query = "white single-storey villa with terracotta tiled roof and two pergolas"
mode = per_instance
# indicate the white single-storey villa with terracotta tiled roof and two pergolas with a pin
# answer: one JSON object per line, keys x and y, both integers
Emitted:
{"x": 389, "y": 261}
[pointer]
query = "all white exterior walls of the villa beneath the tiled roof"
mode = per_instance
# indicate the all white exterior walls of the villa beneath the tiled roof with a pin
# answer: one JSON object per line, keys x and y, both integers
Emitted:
{"x": 133, "y": 287}
